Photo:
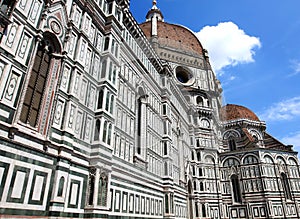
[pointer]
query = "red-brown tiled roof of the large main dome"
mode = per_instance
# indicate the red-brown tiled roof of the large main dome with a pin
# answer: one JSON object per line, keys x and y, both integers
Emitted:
{"x": 174, "y": 36}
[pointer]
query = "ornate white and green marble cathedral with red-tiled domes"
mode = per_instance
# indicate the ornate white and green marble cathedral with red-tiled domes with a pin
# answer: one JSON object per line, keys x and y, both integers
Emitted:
{"x": 103, "y": 117}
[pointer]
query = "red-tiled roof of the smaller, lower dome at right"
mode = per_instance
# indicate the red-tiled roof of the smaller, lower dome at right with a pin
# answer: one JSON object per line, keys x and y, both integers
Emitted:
{"x": 235, "y": 112}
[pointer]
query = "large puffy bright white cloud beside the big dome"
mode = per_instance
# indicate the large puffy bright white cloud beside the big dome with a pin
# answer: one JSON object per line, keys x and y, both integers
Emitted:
{"x": 228, "y": 45}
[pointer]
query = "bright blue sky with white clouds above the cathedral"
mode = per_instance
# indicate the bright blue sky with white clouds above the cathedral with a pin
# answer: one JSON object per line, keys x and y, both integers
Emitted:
{"x": 254, "y": 46}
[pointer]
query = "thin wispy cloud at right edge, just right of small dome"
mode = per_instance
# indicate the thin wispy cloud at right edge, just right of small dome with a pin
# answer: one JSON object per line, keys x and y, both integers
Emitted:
{"x": 284, "y": 110}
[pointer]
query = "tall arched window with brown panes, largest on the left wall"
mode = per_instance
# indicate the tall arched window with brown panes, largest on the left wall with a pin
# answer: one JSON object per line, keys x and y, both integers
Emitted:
{"x": 36, "y": 86}
